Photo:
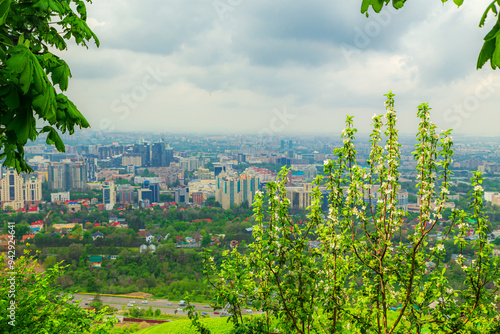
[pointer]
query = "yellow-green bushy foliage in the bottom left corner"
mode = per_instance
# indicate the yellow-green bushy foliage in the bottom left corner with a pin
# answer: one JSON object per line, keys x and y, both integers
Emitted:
{"x": 39, "y": 306}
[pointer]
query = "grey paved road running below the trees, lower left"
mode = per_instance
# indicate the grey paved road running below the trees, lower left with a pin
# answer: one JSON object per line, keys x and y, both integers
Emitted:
{"x": 156, "y": 304}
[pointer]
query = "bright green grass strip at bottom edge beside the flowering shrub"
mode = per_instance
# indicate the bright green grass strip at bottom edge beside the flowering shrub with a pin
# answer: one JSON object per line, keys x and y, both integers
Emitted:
{"x": 215, "y": 325}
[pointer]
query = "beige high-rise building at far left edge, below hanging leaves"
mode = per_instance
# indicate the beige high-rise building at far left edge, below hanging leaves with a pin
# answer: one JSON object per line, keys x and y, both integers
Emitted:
{"x": 17, "y": 193}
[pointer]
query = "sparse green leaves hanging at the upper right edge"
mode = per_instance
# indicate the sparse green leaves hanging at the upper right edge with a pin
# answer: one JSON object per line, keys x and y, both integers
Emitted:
{"x": 489, "y": 51}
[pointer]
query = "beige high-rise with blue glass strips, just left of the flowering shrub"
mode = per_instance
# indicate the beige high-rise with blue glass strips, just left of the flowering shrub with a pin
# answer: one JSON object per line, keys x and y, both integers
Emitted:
{"x": 235, "y": 189}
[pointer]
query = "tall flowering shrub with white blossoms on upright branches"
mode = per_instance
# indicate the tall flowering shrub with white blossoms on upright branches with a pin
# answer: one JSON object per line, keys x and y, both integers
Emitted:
{"x": 361, "y": 278}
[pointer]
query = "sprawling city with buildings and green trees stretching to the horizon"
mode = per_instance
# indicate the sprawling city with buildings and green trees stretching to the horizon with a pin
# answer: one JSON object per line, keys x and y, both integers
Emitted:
{"x": 131, "y": 214}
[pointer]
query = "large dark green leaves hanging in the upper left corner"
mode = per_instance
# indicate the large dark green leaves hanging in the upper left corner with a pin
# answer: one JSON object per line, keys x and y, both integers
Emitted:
{"x": 32, "y": 77}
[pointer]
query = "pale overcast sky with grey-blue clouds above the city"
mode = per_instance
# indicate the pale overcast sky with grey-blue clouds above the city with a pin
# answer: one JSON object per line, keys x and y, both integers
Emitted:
{"x": 281, "y": 67}
